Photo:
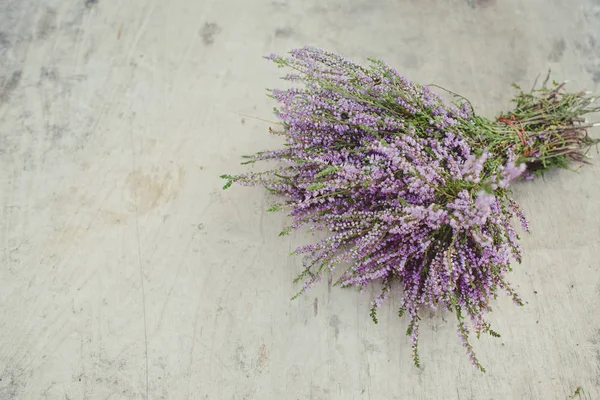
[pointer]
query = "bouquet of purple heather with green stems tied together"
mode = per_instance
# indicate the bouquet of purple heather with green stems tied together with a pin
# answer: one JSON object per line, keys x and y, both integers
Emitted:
{"x": 408, "y": 187}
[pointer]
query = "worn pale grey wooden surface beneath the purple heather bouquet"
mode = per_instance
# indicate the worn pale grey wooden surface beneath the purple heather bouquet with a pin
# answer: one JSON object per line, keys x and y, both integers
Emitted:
{"x": 126, "y": 273}
